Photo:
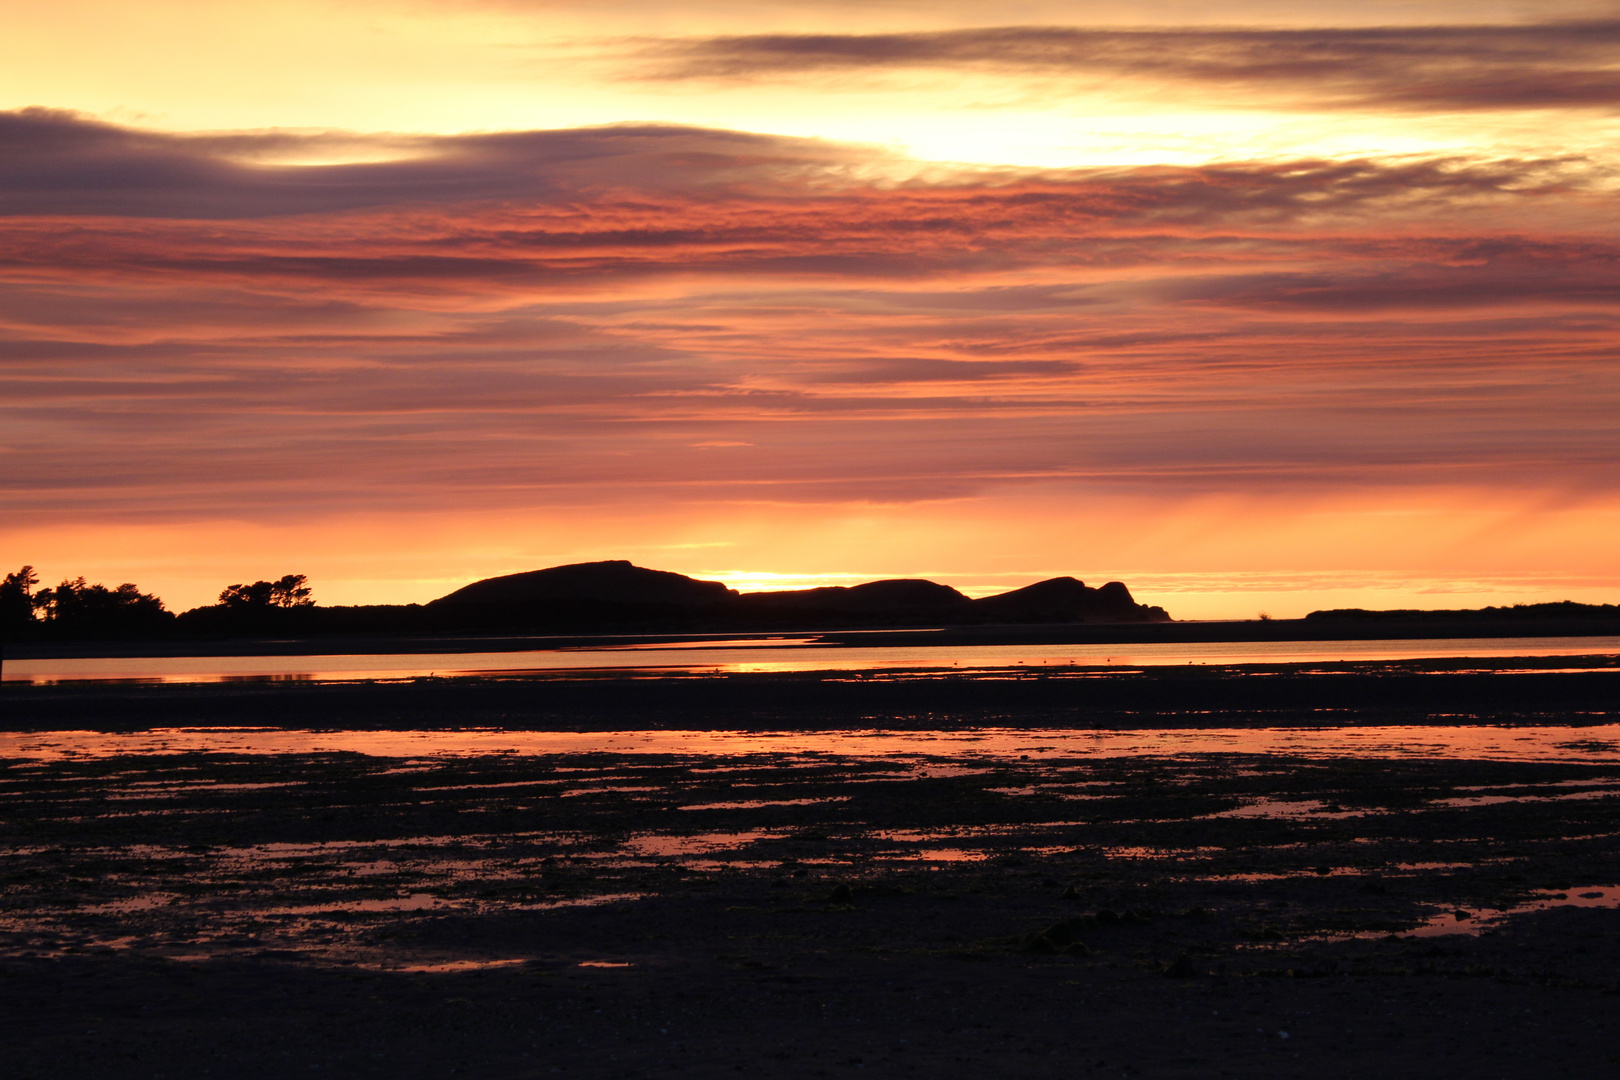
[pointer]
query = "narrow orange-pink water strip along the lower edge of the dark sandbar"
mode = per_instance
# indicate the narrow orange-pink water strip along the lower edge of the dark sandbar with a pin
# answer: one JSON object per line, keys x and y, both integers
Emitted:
{"x": 1593, "y": 744}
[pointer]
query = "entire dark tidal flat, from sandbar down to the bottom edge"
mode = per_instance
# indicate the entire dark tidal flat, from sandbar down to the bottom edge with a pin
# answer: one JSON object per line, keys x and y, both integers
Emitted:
{"x": 1316, "y": 888}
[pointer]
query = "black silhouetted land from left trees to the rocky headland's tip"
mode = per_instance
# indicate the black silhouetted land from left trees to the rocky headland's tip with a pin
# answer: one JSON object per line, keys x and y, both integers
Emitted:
{"x": 610, "y": 597}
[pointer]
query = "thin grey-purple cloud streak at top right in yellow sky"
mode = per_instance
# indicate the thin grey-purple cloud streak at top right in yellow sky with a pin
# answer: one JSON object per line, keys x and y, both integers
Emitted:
{"x": 1554, "y": 66}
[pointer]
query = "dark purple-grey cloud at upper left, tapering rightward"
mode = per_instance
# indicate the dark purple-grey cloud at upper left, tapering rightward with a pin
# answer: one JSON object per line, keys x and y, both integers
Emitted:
{"x": 59, "y": 163}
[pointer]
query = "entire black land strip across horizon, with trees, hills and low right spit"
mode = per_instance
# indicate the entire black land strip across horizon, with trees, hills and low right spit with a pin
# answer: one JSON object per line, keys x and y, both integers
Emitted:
{"x": 618, "y": 600}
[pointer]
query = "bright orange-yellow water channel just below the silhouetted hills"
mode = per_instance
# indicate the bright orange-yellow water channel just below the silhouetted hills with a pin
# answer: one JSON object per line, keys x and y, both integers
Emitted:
{"x": 787, "y": 655}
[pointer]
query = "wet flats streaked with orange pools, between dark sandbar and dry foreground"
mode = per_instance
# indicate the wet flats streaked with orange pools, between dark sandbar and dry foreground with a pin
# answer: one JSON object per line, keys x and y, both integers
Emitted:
{"x": 231, "y": 843}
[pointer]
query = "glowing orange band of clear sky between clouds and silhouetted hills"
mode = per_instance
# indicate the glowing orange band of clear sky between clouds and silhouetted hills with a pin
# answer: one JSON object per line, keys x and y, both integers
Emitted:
{"x": 1235, "y": 559}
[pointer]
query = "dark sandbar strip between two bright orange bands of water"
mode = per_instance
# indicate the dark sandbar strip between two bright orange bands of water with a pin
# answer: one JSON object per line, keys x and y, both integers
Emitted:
{"x": 1512, "y": 692}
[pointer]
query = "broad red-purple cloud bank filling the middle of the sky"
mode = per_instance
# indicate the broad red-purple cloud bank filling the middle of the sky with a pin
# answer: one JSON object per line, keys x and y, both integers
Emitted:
{"x": 190, "y": 325}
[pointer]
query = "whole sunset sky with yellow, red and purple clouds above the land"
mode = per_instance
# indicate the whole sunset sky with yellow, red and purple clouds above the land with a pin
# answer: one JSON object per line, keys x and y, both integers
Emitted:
{"x": 1255, "y": 307}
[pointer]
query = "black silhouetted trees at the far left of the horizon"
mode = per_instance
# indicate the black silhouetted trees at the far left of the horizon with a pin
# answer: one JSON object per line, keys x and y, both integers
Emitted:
{"x": 79, "y": 610}
